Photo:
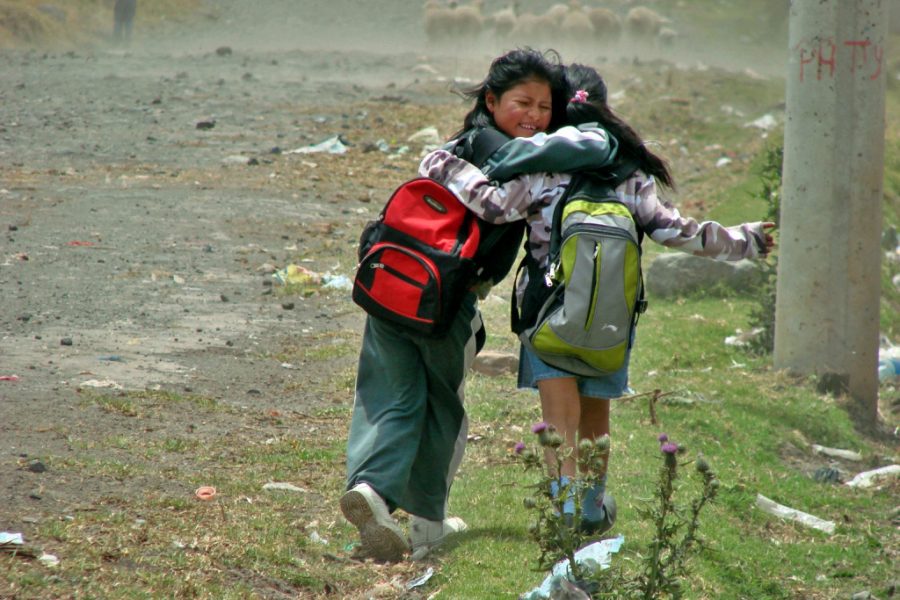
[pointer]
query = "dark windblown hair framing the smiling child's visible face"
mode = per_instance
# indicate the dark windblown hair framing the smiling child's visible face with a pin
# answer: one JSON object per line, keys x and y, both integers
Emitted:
{"x": 511, "y": 69}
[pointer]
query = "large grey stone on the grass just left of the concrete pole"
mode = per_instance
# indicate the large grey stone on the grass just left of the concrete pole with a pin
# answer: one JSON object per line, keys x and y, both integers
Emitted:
{"x": 674, "y": 274}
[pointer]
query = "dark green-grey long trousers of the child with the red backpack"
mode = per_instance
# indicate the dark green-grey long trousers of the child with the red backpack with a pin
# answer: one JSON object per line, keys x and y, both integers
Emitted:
{"x": 409, "y": 427}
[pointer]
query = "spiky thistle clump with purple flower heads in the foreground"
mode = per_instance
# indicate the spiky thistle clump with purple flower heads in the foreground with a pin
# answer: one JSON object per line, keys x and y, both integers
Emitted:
{"x": 664, "y": 564}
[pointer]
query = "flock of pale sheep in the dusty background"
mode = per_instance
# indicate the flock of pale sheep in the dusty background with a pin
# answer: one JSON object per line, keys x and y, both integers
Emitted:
{"x": 572, "y": 24}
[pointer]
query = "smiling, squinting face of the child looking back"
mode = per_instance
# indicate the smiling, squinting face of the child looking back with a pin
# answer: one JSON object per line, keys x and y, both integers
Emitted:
{"x": 523, "y": 110}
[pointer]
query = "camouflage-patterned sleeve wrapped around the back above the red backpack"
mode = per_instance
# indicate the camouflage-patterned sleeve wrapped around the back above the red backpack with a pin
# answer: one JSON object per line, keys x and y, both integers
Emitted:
{"x": 495, "y": 204}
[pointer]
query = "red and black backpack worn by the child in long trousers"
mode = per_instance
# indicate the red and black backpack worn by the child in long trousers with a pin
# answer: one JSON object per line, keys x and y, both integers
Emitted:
{"x": 426, "y": 250}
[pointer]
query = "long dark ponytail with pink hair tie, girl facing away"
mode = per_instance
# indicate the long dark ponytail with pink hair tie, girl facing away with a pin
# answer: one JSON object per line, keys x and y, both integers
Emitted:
{"x": 596, "y": 109}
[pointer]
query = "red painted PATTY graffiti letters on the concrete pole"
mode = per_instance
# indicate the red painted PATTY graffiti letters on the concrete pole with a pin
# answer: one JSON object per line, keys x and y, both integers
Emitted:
{"x": 826, "y": 56}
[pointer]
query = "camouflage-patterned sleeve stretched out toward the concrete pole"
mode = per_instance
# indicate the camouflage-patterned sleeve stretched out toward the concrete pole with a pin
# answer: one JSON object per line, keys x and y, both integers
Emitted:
{"x": 666, "y": 226}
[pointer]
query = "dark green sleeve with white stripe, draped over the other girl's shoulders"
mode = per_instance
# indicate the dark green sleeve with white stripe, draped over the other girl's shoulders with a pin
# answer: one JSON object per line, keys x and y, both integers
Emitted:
{"x": 568, "y": 149}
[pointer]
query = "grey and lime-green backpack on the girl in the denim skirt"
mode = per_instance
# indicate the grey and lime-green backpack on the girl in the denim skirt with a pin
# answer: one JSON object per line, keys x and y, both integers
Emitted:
{"x": 579, "y": 314}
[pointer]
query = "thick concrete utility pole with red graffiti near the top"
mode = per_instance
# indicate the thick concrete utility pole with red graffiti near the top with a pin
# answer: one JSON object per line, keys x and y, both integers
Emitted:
{"x": 829, "y": 286}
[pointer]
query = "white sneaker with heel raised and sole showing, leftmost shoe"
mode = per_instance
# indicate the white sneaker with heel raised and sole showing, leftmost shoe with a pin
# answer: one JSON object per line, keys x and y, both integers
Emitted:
{"x": 379, "y": 534}
